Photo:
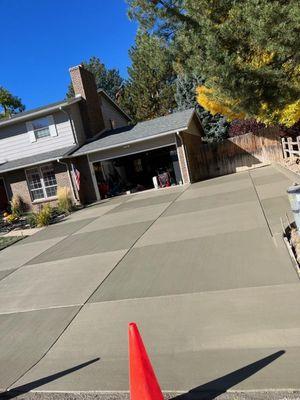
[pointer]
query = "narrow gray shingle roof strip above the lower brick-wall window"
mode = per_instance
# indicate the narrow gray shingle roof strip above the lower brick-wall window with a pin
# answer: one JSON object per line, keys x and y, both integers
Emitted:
{"x": 36, "y": 159}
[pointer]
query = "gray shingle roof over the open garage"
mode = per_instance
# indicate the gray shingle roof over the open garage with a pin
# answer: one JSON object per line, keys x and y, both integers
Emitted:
{"x": 142, "y": 130}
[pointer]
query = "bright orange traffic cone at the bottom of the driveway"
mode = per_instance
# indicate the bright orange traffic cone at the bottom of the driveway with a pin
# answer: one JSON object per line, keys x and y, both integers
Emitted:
{"x": 142, "y": 379}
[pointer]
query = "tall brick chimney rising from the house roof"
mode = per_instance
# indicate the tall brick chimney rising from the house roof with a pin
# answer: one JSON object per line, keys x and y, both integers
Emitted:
{"x": 84, "y": 84}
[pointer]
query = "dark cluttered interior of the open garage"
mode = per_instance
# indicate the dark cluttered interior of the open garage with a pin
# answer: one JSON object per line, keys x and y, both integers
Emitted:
{"x": 135, "y": 172}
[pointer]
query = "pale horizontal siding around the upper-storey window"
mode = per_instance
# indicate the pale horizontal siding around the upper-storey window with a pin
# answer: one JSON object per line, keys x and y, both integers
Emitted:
{"x": 15, "y": 141}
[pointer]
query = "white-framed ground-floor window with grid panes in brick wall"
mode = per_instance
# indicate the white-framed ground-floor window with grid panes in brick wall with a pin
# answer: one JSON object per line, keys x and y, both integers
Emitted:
{"x": 42, "y": 182}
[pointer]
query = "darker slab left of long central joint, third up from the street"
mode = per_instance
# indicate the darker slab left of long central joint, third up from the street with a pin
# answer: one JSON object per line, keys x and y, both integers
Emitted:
{"x": 111, "y": 239}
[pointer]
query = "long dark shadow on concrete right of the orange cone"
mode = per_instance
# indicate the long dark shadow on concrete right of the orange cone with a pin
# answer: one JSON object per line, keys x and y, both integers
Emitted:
{"x": 213, "y": 389}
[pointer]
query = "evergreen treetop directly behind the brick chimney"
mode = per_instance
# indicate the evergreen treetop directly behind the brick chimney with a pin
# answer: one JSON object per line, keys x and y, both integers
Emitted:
{"x": 106, "y": 79}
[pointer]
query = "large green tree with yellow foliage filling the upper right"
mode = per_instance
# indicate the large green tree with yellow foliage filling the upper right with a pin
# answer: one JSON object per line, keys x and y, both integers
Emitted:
{"x": 247, "y": 51}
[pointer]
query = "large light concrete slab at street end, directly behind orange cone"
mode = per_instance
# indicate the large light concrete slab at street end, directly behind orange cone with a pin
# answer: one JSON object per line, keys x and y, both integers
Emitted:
{"x": 191, "y": 340}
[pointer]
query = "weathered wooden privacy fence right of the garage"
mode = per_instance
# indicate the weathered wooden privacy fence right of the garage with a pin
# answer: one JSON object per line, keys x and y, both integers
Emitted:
{"x": 237, "y": 154}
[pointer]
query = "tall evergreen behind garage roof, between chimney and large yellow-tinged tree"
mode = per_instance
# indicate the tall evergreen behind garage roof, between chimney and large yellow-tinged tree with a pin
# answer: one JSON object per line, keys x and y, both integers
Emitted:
{"x": 150, "y": 89}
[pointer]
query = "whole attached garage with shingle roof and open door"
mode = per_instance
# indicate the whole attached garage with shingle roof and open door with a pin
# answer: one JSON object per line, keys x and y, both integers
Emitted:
{"x": 151, "y": 154}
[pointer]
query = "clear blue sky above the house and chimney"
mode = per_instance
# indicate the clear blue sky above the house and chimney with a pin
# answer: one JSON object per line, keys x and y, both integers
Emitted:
{"x": 41, "y": 39}
